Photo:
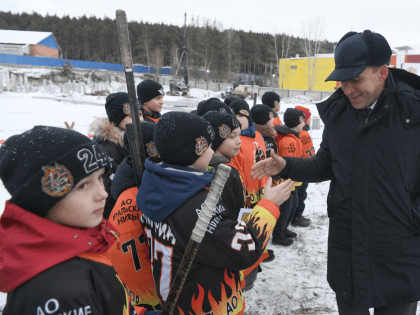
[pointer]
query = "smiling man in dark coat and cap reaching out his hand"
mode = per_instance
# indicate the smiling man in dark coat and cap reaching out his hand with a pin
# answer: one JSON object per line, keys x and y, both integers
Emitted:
{"x": 370, "y": 151}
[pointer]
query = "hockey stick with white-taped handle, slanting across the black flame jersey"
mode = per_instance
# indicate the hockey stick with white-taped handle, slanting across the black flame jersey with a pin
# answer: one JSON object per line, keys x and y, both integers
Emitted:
{"x": 197, "y": 235}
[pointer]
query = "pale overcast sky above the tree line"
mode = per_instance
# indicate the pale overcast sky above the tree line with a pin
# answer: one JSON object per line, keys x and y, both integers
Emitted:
{"x": 397, "y": 20}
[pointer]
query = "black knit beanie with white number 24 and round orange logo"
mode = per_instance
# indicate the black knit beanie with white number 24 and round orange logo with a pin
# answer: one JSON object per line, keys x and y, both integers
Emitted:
{"x": 41, "y": 166}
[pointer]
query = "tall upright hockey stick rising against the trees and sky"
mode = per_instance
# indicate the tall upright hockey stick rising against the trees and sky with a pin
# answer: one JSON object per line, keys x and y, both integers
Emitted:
{"x": 134, "y": 134}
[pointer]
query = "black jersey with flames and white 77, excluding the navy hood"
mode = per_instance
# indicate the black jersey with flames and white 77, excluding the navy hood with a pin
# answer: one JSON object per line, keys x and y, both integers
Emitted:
{"x": 213, "y": 285}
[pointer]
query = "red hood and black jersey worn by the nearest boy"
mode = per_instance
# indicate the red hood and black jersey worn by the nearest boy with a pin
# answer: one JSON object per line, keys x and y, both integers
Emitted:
{"x": 65, "y": 270}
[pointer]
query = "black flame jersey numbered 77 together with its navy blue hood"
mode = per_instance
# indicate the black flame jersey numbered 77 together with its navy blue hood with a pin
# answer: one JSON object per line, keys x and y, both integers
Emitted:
{"x": 171, "y": 199}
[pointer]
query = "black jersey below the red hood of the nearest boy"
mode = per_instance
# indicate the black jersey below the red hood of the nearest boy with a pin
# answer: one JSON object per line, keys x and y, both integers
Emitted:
{"x": 84, "y": 285}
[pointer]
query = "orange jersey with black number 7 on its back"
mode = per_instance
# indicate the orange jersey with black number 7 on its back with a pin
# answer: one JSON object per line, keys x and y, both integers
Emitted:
{"x": 131, "y": 258}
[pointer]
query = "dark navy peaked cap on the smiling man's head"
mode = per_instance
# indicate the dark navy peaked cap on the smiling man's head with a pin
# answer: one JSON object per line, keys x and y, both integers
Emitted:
{"x": 356, "y": 51}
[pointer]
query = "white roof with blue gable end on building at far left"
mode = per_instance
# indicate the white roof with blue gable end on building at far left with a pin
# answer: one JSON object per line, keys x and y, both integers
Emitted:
{"x": 28, "y": 37}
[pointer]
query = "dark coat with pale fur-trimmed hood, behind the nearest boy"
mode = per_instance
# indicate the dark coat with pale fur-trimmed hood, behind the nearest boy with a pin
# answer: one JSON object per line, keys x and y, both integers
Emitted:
{"x": 110, "y": 137}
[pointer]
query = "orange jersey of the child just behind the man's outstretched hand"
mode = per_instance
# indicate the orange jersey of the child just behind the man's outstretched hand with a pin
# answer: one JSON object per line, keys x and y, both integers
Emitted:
{"x": 252, "y": 151}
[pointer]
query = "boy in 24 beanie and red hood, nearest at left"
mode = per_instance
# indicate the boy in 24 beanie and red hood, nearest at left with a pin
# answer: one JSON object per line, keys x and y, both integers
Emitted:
{"x": 53, "y": 237}
